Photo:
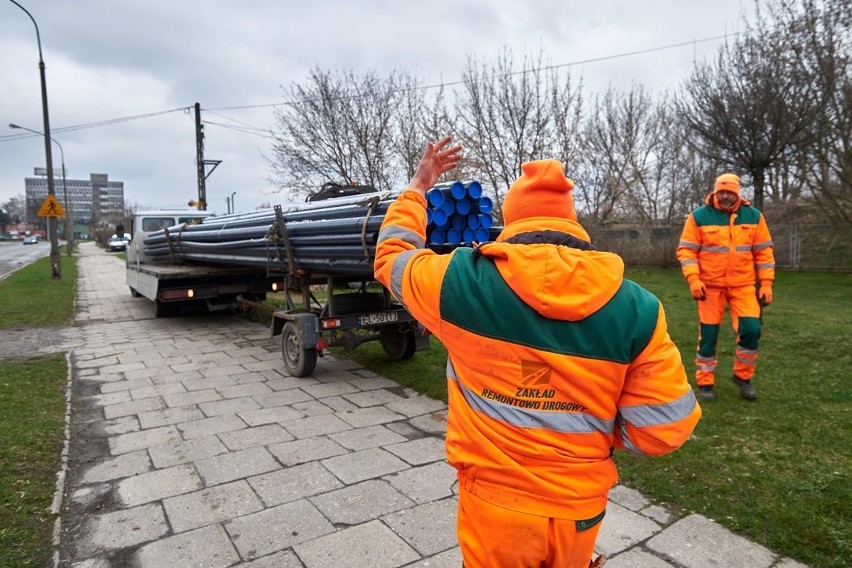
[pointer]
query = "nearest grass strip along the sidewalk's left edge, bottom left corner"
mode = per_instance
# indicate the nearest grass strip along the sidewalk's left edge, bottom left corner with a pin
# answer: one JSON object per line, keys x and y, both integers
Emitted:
{"x": 31, "y": 435}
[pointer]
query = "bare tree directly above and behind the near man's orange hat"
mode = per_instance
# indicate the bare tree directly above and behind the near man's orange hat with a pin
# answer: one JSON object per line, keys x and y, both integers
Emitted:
{"x": 506, "y": 117}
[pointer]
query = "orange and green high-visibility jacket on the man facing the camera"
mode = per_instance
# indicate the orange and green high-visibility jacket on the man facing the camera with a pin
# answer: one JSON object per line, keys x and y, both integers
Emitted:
{"x": 724, "y": 249}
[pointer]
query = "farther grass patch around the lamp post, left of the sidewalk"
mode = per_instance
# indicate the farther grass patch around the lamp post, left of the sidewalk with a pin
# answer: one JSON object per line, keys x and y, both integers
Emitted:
{"x": 31, "y": 297}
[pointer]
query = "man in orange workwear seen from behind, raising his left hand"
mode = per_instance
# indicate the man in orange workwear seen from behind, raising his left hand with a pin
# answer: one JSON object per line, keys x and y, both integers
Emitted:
{"x": 555, "y": 360}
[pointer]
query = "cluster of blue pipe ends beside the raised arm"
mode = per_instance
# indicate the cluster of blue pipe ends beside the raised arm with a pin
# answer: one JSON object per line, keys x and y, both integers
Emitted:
{"x": 458, "y": 214}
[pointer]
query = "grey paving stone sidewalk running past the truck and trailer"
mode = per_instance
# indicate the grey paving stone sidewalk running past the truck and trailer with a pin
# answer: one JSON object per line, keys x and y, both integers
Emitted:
{"x": 189, "y": 446}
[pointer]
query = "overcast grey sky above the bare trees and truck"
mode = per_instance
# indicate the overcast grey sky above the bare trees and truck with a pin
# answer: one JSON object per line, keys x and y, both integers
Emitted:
{"x": 114, "y": 59}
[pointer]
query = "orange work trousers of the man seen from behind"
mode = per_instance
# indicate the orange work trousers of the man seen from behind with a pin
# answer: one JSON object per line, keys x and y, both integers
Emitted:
{"x": 494, "y": 537}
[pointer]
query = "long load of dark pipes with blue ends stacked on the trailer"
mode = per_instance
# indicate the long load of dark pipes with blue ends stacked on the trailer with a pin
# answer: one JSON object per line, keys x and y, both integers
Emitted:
{"x": 336, "y": 236}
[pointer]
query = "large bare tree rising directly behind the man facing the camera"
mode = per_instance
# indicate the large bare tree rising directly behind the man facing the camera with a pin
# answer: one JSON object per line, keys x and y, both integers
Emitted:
{"x": 750, "y": 106}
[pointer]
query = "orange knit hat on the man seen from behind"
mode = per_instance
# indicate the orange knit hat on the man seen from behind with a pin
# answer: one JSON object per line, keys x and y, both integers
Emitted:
{"x": 541, "y": 191}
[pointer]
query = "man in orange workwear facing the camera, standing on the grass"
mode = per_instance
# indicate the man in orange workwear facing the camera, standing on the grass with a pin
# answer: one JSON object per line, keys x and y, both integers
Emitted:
{"x": 724, "y": 249}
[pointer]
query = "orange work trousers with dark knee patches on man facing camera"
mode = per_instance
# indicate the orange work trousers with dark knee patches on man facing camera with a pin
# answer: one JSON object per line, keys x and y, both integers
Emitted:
{"x": 745, "y": 319}
